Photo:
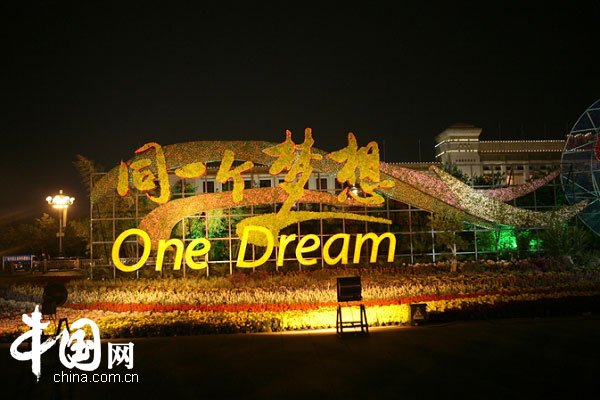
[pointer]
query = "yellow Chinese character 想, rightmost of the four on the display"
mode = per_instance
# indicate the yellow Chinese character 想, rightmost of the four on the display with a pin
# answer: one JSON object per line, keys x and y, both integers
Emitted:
{"x": 366, "y": 161}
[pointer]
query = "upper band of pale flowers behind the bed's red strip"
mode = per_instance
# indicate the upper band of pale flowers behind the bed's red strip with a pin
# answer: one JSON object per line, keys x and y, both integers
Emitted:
{"x": 316, "y": 287}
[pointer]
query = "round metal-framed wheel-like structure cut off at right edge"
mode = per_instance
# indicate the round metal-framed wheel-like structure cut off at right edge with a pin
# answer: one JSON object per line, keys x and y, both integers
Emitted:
{"x": 580, "y": 162}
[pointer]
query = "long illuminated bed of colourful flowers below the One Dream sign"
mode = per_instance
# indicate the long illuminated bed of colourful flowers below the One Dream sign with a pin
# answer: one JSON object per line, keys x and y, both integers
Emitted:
{"x": 264, "y": 303}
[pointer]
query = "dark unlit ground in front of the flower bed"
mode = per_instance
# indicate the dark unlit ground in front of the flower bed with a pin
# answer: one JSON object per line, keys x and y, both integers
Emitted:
{"x": 504, "y": 359}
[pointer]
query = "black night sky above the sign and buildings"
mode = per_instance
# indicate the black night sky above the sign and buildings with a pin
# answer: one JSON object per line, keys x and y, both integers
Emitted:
{"x": 100, "y": 81}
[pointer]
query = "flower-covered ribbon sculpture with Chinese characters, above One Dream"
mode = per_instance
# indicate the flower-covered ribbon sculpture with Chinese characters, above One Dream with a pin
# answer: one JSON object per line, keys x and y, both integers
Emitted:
{"x": 436, "y": 193}
